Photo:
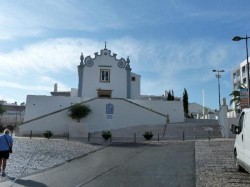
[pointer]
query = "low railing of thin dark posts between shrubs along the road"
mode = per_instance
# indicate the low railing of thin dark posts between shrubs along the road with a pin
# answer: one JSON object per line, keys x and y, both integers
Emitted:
{"x": 172, "y": 133}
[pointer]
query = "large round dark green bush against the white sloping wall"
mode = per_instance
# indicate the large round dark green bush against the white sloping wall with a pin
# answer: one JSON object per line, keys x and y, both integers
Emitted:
{"x": 79, "y": 111}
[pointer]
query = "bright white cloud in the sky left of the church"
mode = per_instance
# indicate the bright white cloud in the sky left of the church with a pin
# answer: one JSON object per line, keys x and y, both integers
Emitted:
{"x": 49, "y": 56}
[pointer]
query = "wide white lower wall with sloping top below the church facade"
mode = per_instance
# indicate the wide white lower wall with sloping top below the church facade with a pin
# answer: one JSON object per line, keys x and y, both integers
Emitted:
{"x": 125, "y": 114}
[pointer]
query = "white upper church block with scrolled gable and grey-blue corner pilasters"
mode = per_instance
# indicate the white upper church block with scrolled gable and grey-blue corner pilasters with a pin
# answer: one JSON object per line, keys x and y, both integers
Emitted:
{"x": 106, "y": 76}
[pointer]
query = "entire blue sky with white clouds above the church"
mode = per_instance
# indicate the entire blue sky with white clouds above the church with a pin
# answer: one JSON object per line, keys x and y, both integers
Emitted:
{"x": 172, "y": 44}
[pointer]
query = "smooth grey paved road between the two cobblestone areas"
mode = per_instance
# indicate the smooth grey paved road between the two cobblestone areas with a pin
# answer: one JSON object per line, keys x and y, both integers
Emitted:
{"x": 158, "y": 164}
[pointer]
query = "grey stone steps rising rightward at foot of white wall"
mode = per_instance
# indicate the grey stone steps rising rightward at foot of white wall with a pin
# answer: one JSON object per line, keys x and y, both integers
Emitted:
{"x": 177, "y": 131}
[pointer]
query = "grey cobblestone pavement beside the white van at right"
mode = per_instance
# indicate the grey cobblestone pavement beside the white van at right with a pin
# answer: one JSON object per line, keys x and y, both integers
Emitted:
{"x": 215, "y": 165}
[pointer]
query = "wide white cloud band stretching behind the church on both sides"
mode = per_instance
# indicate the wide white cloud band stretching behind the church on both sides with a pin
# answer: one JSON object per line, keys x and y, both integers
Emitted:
{"x": 37, "y": 67}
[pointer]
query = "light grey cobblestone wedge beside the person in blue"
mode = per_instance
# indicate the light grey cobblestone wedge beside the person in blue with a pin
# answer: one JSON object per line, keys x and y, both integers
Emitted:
{"x": 37, "y": 154}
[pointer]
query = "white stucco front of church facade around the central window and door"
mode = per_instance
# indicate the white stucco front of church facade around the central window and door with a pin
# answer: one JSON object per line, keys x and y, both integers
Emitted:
{"x": 91, "y": 76}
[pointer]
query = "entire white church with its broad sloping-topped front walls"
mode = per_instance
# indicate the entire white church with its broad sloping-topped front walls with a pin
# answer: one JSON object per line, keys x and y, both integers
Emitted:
{"x": 111, "y": 90}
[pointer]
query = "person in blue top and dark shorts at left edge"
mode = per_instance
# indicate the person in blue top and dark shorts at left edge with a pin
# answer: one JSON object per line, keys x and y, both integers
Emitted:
{"x": 6, "y": 143}
